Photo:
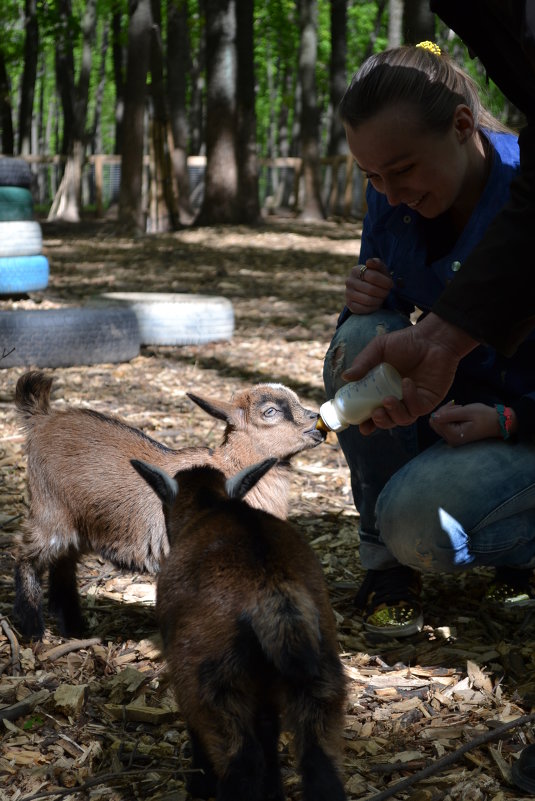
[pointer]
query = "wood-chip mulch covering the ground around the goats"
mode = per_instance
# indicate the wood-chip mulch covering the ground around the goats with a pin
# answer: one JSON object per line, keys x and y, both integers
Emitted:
{"x": 96, "y": 719}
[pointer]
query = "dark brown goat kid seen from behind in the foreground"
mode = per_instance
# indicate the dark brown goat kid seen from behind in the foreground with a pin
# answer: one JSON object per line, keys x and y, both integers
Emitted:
{"x": 249, "y": 638}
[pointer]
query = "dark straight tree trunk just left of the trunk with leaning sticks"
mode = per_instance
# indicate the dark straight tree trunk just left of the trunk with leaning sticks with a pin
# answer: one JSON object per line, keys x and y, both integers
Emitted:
{"x": 131, "y": 213}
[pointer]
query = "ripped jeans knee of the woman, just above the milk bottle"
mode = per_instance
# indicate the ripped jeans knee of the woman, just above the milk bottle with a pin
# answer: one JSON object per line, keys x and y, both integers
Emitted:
{"x": 352, "y": 336}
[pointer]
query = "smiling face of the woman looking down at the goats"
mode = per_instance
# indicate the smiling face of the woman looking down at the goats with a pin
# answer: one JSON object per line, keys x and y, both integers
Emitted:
{"x": 429, "y": 172}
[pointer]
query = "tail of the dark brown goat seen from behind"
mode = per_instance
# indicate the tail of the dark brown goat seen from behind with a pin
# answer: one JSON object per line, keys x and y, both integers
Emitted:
{"x": 286, "y": 622}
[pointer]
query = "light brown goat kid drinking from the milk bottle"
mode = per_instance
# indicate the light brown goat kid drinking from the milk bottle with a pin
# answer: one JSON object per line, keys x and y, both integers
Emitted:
{"x": 85, "y": 496}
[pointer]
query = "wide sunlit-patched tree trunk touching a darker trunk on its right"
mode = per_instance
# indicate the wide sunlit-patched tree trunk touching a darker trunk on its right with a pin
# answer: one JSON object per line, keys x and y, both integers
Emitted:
{"x": 221, "y": 178}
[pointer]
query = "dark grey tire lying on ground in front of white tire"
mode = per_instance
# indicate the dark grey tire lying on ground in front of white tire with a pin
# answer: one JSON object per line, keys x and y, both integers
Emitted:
{"x": 68, "y": 337}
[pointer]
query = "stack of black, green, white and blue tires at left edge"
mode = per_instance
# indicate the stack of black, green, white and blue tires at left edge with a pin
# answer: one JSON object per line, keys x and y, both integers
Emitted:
{"x": 23, "y": 267}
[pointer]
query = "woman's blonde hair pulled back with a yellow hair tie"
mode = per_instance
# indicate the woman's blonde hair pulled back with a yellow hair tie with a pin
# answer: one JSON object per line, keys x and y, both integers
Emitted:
{"x": 420, "y": 76}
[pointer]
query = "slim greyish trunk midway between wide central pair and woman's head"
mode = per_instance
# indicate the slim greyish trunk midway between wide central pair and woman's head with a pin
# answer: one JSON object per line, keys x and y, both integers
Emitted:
{"x": 312, "y": 208}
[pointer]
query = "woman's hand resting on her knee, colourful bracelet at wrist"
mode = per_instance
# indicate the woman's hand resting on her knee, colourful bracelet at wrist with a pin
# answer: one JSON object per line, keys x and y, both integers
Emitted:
{"x": 458, "y": 425}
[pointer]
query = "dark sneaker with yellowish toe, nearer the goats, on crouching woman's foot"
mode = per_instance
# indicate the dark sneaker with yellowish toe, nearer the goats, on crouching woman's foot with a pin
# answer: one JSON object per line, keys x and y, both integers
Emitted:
{"x": 389, "y": 601}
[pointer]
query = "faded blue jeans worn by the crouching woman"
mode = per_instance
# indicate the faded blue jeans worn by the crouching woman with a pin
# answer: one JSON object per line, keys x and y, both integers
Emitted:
{"x": 436, "y": 508}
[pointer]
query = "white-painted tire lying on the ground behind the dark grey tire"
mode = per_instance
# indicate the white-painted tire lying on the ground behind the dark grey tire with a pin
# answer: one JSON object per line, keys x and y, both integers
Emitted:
{"x": 168, "y": 318}
